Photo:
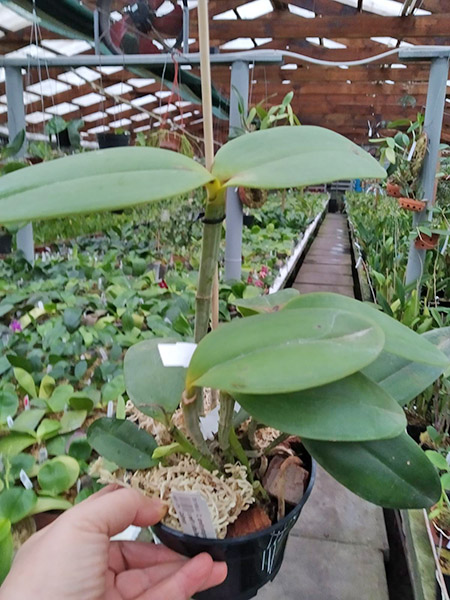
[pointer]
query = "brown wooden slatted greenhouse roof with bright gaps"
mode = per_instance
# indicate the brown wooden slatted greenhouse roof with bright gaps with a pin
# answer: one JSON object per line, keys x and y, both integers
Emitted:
{"x": 354, "y": 100}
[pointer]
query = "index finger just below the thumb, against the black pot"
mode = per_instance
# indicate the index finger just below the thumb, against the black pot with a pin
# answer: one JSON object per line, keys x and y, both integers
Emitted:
{"x": 139, "y": 555}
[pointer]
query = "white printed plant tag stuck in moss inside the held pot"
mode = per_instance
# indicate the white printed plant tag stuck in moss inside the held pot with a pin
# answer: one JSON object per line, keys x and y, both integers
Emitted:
{"x": 193, "y": 513}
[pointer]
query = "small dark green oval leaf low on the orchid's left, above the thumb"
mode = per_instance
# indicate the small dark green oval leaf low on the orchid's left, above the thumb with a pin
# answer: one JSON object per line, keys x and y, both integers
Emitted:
{"x": 122, "y": 442}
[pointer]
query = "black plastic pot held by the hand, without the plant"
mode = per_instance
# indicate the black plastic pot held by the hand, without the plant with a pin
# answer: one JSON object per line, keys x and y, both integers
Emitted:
{"x": 252, "y": 560}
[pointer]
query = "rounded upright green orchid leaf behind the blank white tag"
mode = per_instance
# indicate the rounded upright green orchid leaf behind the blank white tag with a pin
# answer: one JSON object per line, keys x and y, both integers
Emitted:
{"x": 154, "y": 389}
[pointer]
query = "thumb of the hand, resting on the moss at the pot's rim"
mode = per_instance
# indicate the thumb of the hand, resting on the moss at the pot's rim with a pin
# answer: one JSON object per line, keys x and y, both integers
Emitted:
{"x": 113, "y": 512}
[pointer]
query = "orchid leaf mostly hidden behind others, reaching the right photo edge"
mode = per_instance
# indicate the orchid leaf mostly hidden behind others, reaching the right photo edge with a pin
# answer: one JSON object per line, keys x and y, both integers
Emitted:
{"x": 405, "y": 380}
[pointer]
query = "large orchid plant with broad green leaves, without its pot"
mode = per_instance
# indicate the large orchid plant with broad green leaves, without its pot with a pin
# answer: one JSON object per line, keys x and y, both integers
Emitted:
{"x": 323, "y": 367}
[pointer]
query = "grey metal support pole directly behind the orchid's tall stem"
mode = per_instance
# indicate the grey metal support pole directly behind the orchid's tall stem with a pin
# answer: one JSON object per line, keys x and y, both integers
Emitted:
{"x": 233, "y": 249}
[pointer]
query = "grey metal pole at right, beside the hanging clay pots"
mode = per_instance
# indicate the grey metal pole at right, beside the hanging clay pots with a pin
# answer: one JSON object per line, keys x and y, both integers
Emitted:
{"x": 434, "y": 113}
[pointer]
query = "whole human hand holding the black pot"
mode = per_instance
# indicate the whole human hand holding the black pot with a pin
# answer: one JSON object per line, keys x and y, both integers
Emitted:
{"x": 74, "y": 559}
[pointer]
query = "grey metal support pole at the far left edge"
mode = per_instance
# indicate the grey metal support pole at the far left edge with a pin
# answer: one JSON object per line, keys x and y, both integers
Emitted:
{"x": 17, "y": 123}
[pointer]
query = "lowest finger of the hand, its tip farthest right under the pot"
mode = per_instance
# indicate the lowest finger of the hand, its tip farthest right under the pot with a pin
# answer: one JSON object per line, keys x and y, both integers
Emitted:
{"x": 197, "y": 573}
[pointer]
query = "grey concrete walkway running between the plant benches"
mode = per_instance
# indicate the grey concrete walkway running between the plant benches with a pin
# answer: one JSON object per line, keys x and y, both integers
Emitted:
{"x": 337, "y": 549}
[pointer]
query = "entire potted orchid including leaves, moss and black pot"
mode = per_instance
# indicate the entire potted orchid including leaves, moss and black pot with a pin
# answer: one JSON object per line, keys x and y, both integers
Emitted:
{"x": 324, "y": 375}
